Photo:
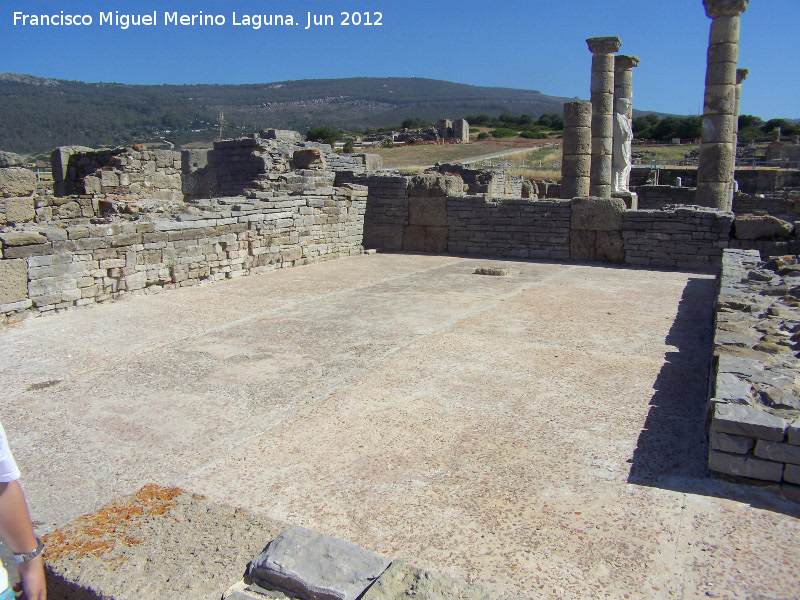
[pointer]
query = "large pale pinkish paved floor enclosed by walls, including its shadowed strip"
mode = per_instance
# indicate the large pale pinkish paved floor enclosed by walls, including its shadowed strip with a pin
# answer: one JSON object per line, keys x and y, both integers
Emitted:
{"x": 540, "y": 434}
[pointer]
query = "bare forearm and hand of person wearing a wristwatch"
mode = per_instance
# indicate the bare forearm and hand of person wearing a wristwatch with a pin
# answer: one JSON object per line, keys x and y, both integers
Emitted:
{"x": 17, "y": 529}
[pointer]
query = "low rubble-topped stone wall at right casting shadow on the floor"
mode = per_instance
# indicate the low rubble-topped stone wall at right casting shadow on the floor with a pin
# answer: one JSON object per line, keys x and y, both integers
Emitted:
{"x": 754, "y": 403}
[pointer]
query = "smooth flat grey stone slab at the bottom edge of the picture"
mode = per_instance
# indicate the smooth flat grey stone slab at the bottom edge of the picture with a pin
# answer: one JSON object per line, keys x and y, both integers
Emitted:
{"x": 316, "y": 566}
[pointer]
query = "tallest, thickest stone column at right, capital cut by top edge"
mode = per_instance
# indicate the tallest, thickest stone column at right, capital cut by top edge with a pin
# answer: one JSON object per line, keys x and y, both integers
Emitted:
{"x": 715, "y": 165}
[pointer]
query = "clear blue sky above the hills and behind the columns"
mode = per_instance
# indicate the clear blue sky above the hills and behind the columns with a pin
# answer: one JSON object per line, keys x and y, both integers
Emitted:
{"x": 528, "y": 44}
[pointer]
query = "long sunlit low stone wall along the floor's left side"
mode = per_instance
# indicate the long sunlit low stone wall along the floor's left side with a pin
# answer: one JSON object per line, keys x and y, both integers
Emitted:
{"x": 48, "y": 269}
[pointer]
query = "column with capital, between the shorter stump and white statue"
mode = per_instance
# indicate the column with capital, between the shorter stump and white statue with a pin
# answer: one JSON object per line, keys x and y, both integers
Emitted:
{"x": 602, "y": 49}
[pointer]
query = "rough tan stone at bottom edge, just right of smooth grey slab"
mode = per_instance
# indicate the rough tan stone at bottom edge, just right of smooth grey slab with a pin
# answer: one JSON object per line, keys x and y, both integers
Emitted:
{"x": 402, "y": 581}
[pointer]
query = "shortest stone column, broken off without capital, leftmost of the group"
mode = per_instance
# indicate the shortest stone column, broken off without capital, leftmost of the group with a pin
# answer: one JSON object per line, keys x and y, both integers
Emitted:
{"x": 576, "y": 149}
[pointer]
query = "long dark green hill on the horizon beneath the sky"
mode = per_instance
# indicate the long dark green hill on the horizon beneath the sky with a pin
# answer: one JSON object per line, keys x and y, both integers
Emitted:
{"x": 40, "y": 114}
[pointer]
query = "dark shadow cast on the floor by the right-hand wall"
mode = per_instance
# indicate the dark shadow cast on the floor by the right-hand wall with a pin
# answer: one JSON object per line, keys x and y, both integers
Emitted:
{"x": 672, "y": 450}
